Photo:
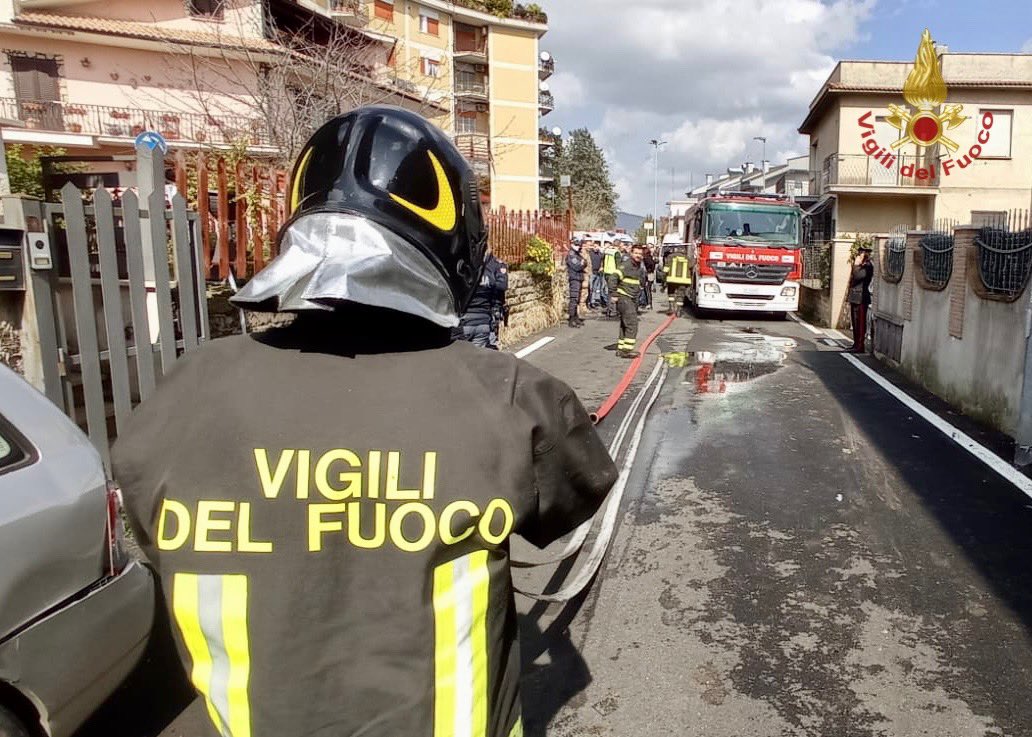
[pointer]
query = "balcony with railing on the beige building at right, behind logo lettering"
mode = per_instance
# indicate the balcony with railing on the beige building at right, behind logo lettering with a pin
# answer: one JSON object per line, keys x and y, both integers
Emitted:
{"x": 859, "y": 173}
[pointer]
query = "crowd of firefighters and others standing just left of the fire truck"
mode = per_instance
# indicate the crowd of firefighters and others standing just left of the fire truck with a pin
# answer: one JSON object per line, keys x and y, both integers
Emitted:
{"x": 622, "y": 283}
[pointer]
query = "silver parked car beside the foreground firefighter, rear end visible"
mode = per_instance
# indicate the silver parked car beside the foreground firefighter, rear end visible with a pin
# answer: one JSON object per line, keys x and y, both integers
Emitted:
{"x": 76, "y": 607}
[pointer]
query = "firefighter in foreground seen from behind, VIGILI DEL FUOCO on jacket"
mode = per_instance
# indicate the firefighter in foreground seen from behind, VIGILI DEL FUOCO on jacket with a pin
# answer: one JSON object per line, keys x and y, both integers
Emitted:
{"x": 329, "y": 504}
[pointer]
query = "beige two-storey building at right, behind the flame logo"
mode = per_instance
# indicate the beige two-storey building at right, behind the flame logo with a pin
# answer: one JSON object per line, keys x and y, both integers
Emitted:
{"x": 978, "y": 161}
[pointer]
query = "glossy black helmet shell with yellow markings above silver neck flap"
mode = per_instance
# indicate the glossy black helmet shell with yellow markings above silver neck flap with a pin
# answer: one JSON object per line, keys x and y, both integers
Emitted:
{"x": 396, "y": 169}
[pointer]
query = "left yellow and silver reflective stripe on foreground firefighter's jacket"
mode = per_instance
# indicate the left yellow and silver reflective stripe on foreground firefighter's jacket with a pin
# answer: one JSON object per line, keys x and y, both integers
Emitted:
{"x": 212, "y": 615}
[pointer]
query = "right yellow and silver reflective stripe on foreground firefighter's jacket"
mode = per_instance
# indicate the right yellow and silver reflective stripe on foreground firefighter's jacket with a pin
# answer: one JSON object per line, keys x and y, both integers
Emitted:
{"x": 461, "y": 596}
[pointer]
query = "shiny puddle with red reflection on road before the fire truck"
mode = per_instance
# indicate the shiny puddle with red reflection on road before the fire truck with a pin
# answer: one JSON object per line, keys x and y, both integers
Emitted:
{"x": 745, "y": 358}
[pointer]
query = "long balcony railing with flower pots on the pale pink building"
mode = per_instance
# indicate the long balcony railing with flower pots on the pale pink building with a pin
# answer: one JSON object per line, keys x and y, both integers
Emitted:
{"x": 131, "y": 122}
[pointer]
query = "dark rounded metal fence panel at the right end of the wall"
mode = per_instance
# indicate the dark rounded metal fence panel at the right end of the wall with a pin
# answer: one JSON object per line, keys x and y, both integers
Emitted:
{"x": 1005, "y": 248}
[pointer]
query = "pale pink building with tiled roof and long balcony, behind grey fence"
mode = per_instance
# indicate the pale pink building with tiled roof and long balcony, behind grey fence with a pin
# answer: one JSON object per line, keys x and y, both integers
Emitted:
{"x": 89, "y": 77}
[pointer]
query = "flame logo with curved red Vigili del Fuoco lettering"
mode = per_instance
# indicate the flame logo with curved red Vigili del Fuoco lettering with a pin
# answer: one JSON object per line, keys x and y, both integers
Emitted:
{"x": 926, "y": 122}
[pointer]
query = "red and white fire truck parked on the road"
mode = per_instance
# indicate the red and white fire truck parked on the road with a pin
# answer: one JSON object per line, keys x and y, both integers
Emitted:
{"x": 746, "y": 253}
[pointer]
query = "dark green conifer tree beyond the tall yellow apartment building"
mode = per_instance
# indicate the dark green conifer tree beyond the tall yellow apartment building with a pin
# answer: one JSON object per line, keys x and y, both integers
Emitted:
{"x": 594, "y": 195}
